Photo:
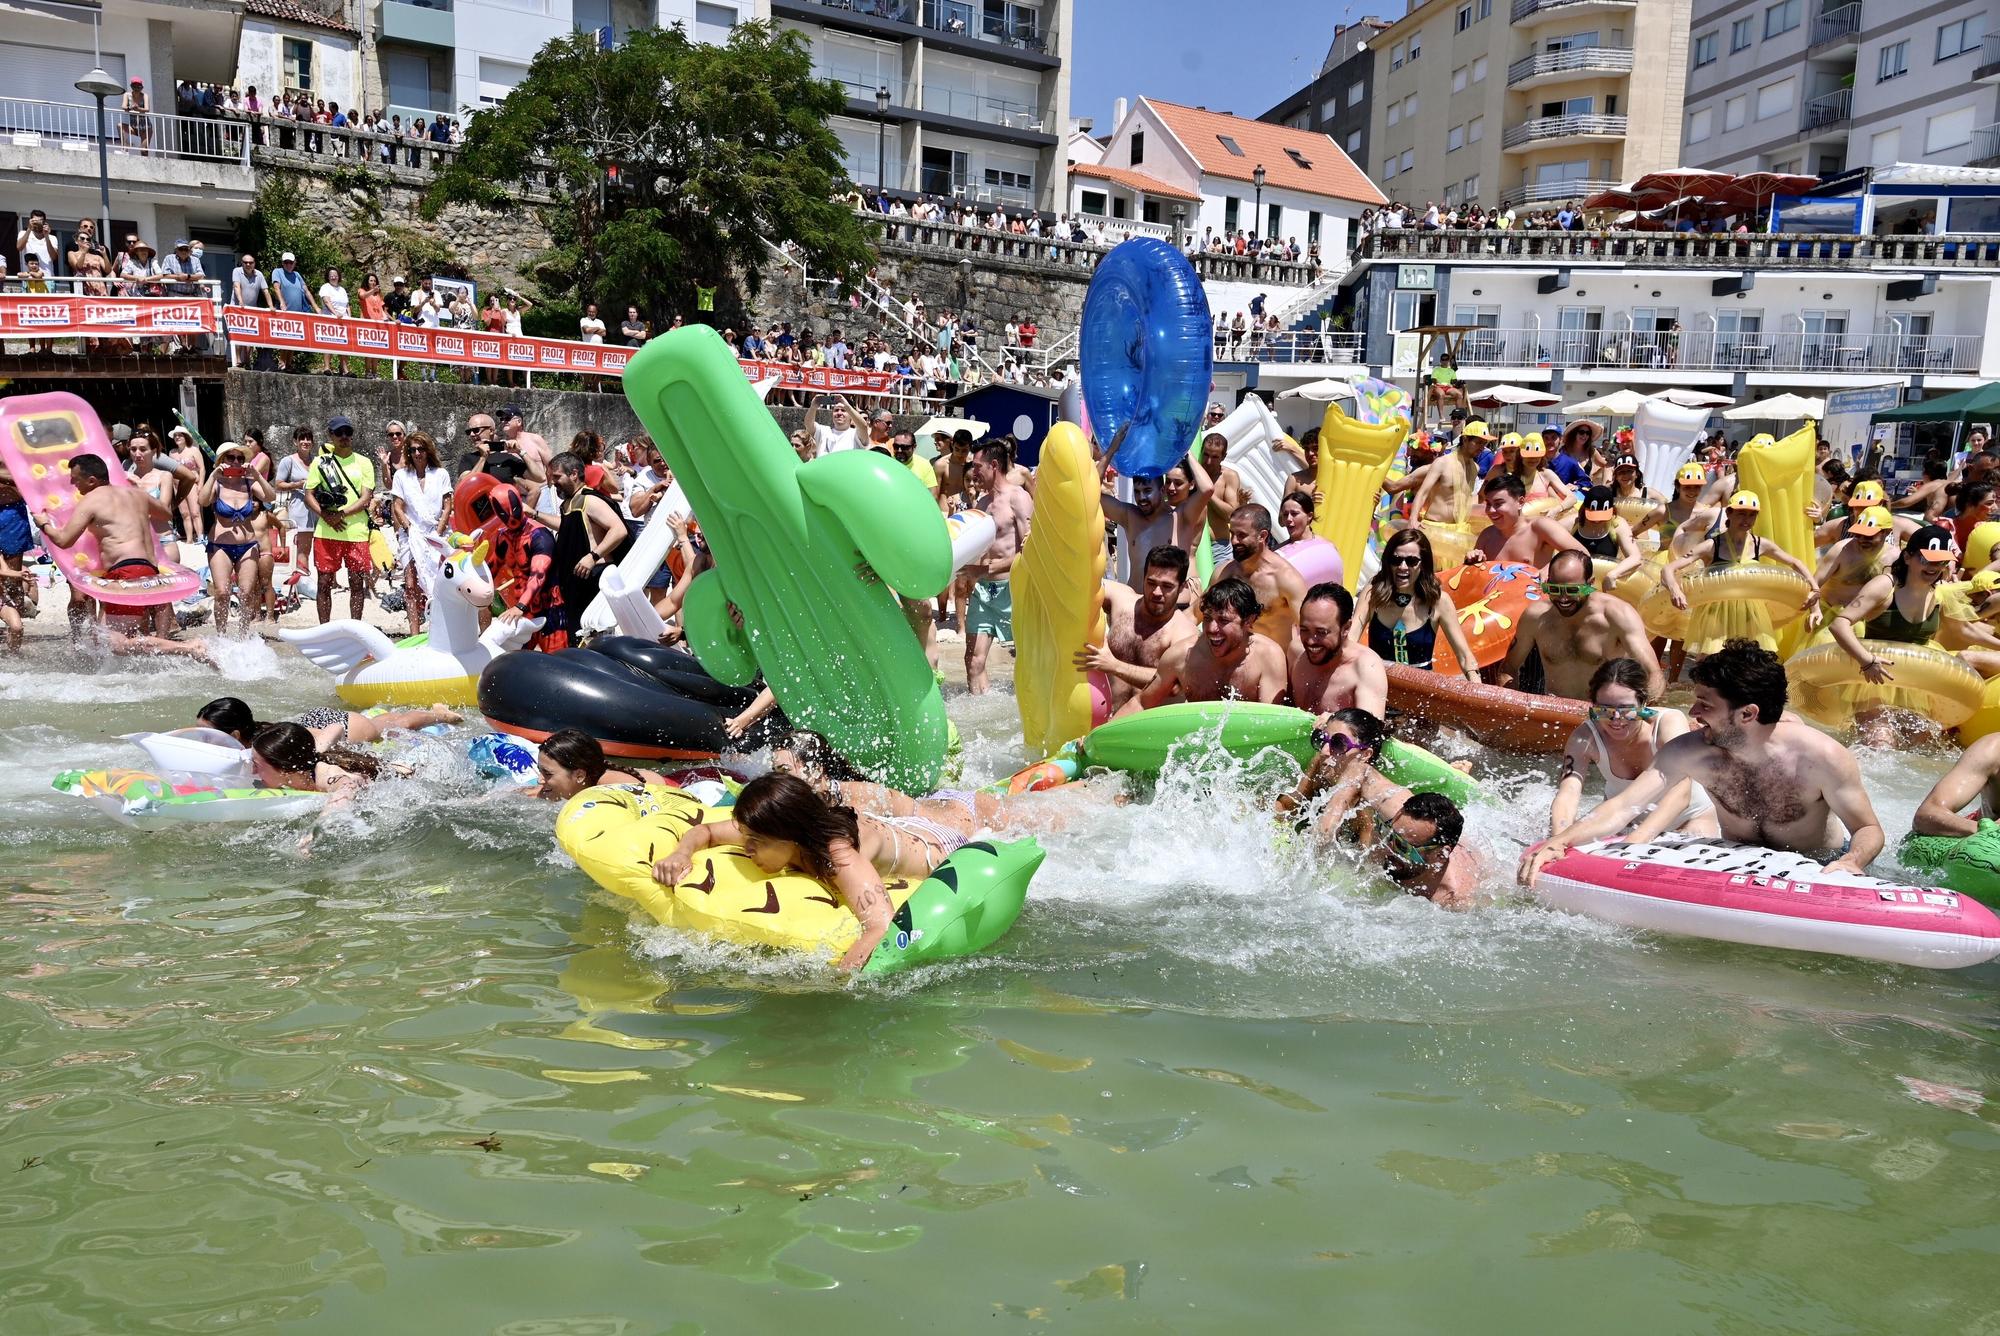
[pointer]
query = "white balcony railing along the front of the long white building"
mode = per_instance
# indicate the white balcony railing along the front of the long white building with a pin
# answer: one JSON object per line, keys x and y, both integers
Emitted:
{"x": 1719, "y": 351}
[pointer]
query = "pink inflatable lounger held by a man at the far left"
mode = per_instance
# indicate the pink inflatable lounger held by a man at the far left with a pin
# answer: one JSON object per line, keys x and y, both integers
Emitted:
{"x": 39, "y": 437}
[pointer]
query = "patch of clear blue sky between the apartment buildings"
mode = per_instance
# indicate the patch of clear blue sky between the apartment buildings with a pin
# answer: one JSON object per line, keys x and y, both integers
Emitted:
{"x": 1229, "y": 57}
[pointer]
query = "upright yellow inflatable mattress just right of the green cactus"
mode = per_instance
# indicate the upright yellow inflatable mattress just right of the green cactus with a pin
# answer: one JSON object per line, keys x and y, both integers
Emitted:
{"x": 1059, "y": 597}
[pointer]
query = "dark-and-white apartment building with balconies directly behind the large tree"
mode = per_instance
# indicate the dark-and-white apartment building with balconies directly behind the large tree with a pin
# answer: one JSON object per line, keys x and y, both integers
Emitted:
{"x": 951, "y": 99}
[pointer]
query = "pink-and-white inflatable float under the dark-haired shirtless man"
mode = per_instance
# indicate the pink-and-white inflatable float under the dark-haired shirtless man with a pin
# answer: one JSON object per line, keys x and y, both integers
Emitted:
{"x": 1759, "y": 897}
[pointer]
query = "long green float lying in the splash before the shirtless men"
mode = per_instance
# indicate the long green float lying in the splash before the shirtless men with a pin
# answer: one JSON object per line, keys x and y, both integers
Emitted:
{"x": 1141, "y": 743}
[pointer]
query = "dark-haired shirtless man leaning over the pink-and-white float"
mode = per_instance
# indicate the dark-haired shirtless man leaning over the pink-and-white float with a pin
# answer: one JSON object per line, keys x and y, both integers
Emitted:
{"x": 1775, "y": 783}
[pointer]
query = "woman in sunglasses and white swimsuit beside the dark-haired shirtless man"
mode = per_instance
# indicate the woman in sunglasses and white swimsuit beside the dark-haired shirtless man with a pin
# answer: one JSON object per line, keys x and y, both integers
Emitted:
{"x": 1621, "y": 737}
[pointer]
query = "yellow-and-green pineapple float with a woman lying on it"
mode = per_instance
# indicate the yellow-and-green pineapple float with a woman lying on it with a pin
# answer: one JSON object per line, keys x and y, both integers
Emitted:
{"x": 615, "y": 835}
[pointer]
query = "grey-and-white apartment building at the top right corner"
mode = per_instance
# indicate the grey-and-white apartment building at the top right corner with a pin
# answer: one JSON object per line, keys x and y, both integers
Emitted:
{"x": 1823, "y": 87}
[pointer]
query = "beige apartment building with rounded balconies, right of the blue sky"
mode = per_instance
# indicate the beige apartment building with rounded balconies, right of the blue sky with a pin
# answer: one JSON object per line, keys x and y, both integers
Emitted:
{"x": 1525, "y": 101}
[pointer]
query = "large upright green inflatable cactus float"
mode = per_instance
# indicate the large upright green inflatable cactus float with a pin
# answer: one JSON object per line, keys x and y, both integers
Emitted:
{"x": 809, "y": 555}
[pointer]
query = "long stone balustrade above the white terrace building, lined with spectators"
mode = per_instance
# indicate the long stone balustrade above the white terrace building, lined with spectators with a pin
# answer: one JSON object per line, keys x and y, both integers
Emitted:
{"x": 1813, "y": 251}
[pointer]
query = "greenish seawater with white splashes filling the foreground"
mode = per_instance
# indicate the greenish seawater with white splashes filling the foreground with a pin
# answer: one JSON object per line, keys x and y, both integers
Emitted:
{"x": 431, "y": 1081}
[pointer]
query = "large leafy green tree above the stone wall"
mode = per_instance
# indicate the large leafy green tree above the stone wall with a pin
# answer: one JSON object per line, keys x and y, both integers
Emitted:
{"x": 671, "y": 163}
